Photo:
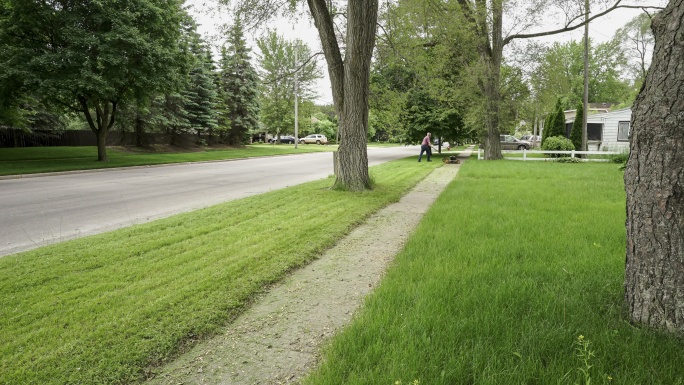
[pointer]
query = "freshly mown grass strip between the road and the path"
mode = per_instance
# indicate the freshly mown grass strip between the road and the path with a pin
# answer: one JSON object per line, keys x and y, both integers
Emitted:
{"x": 106, "y": 309}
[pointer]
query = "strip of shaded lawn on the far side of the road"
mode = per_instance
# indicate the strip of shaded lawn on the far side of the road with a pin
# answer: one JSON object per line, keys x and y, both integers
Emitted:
{"x": 31, "y": 160}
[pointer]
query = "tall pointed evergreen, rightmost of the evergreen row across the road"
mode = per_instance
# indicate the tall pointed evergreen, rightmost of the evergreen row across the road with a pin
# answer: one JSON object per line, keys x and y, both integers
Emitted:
{"x": 239, "y": 87}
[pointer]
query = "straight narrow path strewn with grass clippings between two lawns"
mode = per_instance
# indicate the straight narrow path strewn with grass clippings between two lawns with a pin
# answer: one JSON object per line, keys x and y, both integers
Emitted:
{"x": 277, "y": 340}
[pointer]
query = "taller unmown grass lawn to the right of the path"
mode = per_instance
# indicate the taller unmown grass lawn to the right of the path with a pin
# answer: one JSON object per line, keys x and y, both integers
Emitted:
{"x": 515, "y": 276}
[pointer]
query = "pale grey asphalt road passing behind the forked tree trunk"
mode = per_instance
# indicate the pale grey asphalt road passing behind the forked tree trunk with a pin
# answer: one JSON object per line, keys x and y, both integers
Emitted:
{"x": 42, "y": 210}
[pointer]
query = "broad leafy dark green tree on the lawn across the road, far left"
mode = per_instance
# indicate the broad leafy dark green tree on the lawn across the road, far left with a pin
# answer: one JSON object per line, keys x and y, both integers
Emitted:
{"x": 91, "y": 56}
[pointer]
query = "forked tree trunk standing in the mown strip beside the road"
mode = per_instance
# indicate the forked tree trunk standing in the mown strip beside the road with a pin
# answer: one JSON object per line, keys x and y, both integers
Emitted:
{"x": 350, "y": 80}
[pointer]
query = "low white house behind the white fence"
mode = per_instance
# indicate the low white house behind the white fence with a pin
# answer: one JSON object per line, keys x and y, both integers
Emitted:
{"x": 606, "y": 131}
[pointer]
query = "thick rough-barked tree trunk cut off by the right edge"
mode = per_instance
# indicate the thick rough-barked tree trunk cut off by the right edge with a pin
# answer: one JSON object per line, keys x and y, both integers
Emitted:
{"x": 654, "y": 183}
